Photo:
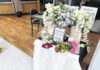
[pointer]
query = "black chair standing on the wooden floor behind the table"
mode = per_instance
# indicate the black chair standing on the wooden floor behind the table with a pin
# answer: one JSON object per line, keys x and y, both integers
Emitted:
{"x": 37, "y": 21}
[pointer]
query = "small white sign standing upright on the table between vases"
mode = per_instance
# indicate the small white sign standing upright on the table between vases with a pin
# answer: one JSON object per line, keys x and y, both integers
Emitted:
{"x": 59, "y": 34}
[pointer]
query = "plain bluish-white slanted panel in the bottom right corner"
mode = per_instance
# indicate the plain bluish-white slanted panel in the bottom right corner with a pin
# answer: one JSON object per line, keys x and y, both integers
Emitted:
{"x": 95, "y": 63}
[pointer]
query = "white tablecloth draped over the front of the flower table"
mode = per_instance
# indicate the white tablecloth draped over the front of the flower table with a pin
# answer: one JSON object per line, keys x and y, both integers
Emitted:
{"x": 48, "y": 59}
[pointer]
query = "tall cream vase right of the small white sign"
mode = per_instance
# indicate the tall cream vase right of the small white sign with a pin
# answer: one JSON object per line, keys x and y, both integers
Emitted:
{"x": 75, "y": 34}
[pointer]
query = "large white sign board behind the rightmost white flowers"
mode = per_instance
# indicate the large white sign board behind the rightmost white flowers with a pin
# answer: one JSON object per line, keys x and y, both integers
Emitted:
{"x": 91, "y": 11}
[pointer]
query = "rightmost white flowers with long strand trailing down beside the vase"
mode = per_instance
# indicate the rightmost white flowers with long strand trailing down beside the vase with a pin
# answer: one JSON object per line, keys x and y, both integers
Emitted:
{"x": 83, "y": 21}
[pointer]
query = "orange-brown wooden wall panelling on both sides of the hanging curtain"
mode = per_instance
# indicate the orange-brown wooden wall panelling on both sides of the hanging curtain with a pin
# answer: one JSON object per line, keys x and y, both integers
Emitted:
{"x": 6, "y": 8}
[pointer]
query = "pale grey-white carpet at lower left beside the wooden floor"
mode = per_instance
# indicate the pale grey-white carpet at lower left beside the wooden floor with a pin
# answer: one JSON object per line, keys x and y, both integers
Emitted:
{"x": 13, "y": 58}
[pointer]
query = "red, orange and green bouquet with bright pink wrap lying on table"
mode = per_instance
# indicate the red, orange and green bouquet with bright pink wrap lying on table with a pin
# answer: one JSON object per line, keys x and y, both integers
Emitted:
{"x": 69, "y": 46}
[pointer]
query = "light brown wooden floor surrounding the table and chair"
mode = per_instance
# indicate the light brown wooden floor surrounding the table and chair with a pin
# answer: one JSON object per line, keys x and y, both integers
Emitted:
{"x": 18, "y": 32}
